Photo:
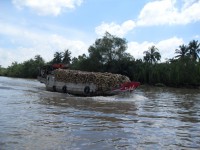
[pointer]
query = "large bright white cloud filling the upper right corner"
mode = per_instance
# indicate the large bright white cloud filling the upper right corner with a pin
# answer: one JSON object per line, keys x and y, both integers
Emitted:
{"x": 165, "y": 12}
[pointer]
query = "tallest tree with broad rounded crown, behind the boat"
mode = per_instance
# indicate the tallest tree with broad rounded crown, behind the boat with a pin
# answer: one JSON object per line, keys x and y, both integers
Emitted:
{"x": 107, "y": 50}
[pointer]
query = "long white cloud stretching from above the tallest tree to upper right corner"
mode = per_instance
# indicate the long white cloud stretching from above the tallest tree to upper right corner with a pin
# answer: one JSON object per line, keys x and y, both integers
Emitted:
{"x": 159, "y": 12}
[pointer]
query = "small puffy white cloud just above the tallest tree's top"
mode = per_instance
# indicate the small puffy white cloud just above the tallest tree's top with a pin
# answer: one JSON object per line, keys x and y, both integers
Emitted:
{"x": 115, "y": 29}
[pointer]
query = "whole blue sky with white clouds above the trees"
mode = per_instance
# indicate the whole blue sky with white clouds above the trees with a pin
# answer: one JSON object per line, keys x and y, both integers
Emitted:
{"x": 43, "y": 27}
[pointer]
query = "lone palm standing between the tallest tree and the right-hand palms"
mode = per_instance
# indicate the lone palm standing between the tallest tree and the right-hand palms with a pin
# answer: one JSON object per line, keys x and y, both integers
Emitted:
{"x": 152, "y": 55}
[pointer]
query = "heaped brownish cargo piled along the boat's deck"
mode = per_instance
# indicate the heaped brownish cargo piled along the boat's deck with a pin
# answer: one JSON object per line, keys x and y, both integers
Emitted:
{"x": 103, "y": 81}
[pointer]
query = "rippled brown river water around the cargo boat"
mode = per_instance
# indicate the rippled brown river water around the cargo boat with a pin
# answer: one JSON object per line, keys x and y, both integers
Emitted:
{"x": 150, "y": 118}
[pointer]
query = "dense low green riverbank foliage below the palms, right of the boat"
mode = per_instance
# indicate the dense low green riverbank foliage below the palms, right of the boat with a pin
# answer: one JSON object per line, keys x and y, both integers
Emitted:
{"x": 175, "y": 74}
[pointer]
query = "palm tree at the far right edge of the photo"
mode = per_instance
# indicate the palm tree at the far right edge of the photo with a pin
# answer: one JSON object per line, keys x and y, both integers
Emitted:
{"x": 194, "y": 49}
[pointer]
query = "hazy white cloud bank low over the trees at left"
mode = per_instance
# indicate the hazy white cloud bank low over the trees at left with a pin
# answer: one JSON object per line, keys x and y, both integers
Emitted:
{"x": 26, "y": 44}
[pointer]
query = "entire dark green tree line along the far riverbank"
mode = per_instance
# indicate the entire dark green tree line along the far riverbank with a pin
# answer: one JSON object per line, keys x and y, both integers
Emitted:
{"x": 108, "y": 54}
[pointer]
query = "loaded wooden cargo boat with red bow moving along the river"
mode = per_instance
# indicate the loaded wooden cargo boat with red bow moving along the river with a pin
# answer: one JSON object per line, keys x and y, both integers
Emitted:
{"x": 59, "y": 78}
